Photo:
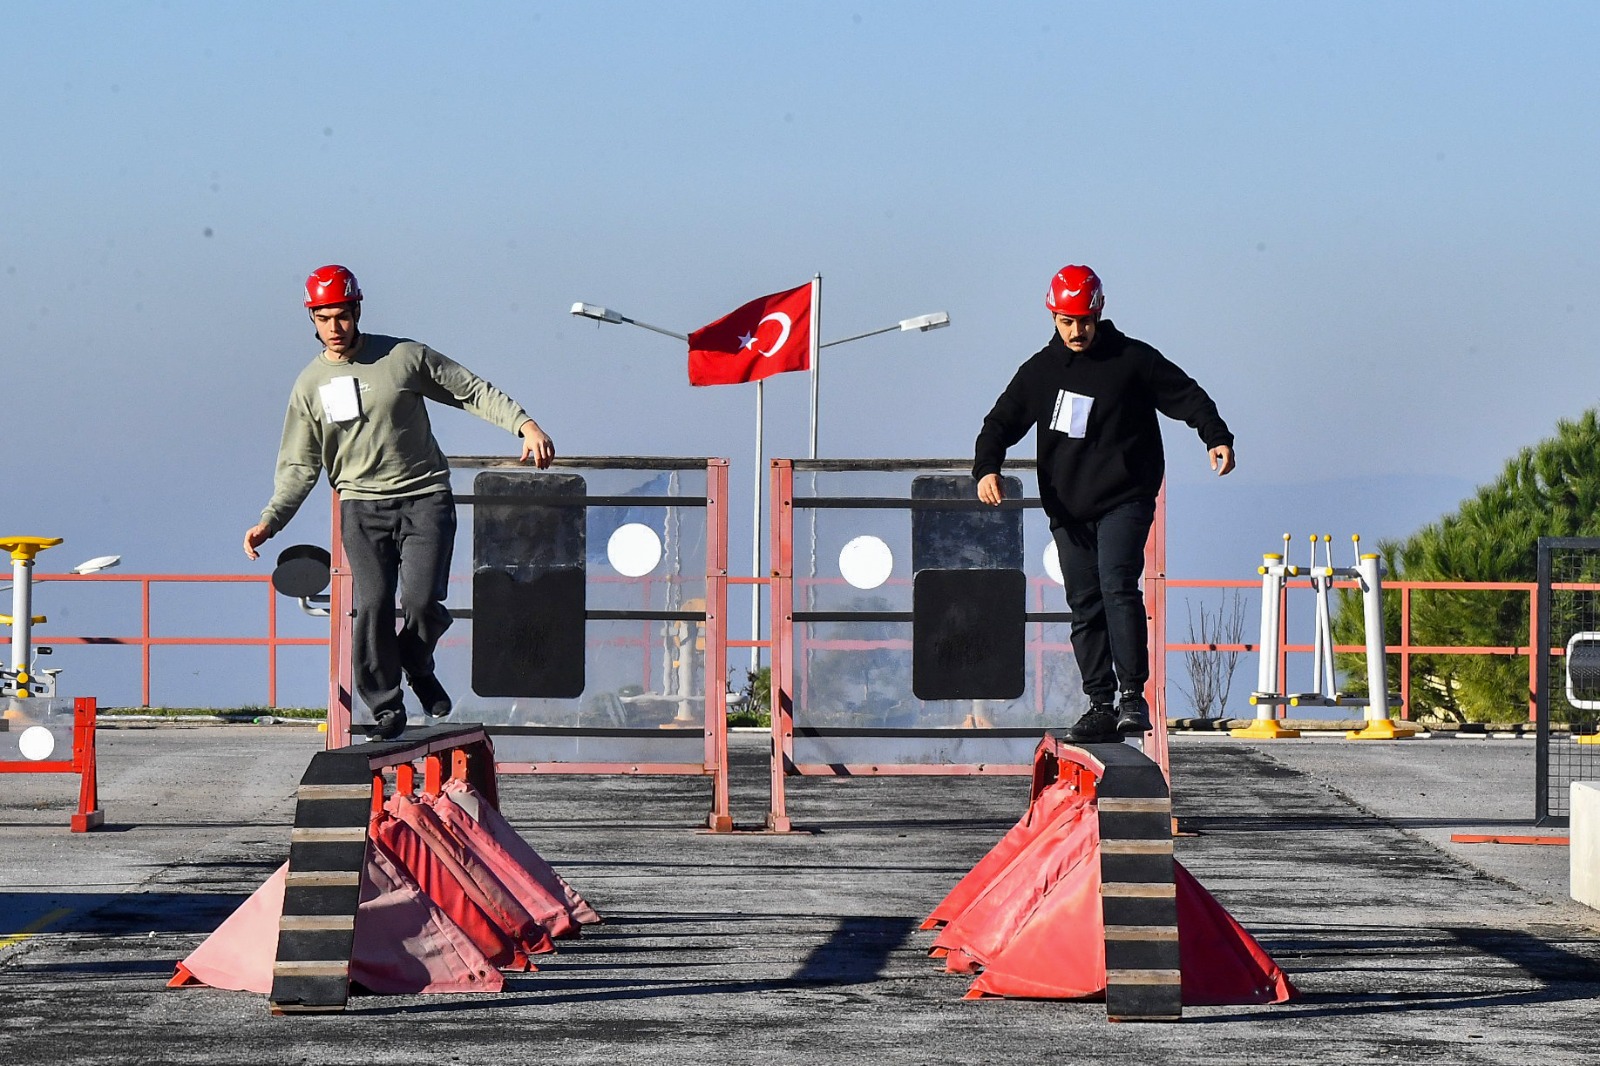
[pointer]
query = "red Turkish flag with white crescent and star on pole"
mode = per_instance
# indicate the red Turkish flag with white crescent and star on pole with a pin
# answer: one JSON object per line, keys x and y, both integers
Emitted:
{"x": 766, "y": 337}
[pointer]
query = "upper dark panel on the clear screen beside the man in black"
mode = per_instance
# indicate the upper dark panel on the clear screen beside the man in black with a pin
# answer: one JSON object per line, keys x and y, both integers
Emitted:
{"x": 964, "y": 540}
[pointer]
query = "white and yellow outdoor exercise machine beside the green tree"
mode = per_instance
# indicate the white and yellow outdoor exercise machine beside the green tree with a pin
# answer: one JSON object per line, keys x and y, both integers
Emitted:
{"x": 1271, "y": 687}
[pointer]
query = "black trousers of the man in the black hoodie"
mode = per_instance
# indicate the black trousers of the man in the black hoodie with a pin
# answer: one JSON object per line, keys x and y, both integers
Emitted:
{"x": 1102, "y": 563}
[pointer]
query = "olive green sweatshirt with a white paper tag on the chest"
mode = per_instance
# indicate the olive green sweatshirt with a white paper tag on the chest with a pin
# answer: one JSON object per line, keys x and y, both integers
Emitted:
{"x": 366, "y": 423}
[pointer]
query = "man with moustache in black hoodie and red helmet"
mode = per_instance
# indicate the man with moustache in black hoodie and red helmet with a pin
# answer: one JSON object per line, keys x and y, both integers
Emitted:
{"x": 1092, "y": 395}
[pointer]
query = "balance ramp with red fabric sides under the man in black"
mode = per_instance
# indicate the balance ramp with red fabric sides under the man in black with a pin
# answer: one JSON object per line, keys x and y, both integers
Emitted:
{"x": 1082, "y": 900}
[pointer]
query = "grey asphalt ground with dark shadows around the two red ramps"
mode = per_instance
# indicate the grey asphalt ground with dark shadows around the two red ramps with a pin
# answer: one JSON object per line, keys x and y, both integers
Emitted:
{"x": 756, "y": 948}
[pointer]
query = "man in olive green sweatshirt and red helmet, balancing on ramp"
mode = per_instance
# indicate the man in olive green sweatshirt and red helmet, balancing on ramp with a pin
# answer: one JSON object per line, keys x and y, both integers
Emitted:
{"x": 359, "y": 414}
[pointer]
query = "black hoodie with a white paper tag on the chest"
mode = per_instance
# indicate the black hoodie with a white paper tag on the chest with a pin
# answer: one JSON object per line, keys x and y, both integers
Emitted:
{"x": 1119, "y": 455}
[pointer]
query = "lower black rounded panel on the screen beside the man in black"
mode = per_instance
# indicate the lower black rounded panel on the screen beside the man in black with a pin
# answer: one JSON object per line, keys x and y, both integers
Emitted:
{"x": 969, "y": 635}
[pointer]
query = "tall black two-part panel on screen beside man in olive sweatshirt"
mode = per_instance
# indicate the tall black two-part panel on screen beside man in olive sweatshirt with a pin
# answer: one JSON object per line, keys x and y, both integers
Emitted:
{"x": 529, "y": 585}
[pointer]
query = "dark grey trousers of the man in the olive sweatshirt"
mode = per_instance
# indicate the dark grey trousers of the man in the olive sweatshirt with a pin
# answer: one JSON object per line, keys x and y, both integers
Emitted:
{"x": 398, "y": 547}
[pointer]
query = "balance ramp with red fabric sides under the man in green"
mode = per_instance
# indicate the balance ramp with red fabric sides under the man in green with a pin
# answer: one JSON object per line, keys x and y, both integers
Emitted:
{"x": 394, "y": 892}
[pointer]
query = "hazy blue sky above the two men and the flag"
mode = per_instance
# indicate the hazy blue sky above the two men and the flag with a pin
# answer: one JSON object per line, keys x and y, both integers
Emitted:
{"x": 1370, "y": 230}
